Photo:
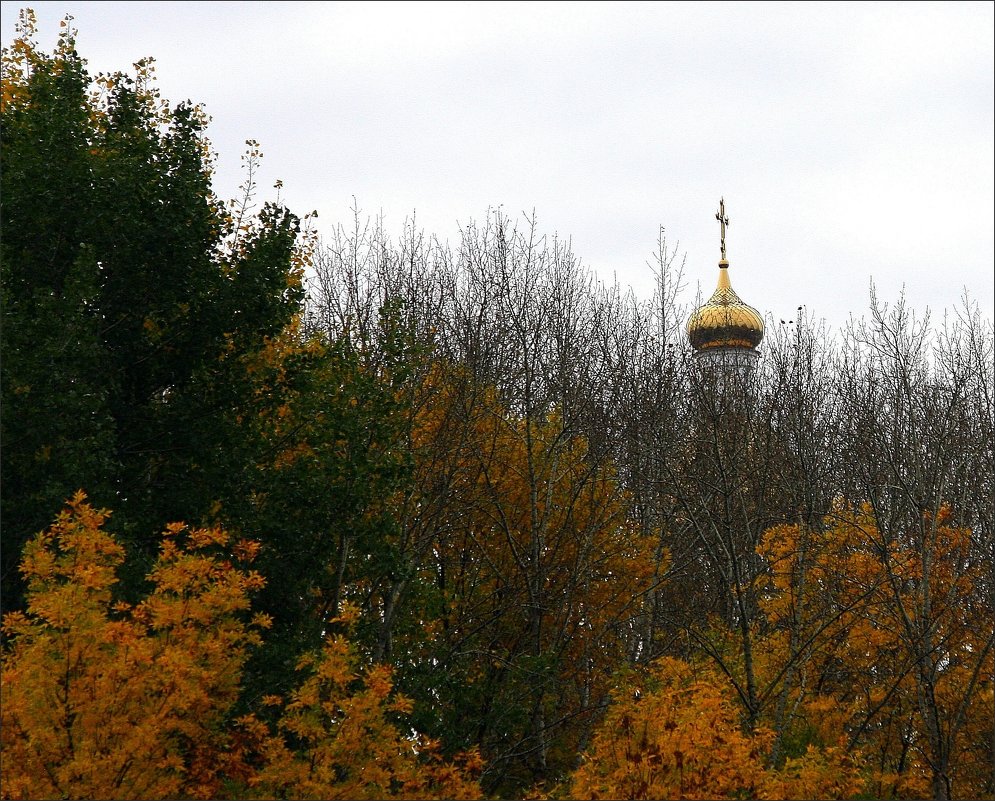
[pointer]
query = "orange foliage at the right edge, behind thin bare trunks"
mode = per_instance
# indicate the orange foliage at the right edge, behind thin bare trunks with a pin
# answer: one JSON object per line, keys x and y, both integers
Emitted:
{"x": 894, "y": 644}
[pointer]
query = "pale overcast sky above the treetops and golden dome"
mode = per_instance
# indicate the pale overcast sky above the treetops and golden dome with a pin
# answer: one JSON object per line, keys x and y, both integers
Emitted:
{"x": 852, "y": 142}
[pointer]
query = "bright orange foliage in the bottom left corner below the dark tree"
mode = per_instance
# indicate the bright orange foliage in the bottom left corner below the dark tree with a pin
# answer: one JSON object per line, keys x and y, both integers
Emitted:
{"x": 106, "y": 700}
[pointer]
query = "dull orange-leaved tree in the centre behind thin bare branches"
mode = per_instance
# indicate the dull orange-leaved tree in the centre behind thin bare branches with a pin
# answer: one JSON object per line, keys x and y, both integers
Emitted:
{"x": 539, "y": 563}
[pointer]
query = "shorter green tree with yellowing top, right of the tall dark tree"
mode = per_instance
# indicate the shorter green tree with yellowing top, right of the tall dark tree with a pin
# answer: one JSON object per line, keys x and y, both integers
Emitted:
{"x": 319, "y": 495}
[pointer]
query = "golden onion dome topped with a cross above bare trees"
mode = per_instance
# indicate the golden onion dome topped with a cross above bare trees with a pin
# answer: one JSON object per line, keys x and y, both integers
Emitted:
{"x": 725, "y": 332}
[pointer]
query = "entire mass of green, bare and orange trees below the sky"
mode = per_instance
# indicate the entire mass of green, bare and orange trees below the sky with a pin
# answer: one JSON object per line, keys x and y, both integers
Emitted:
{"x": 457, "y": 520}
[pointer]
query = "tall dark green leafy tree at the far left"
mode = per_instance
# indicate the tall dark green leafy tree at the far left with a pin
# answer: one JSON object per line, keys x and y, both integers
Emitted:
{"x": 126, "y": 305}
